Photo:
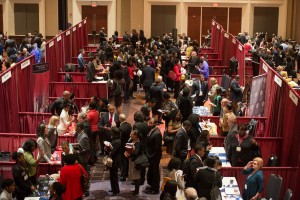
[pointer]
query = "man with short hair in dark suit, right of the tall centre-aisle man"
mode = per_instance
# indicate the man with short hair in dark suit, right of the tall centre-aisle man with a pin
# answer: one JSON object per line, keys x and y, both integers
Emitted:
{"x": 181, "y": 141}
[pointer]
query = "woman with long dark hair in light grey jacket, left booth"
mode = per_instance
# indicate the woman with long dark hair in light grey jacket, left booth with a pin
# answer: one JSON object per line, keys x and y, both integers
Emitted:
{"x": 43, "y": 143}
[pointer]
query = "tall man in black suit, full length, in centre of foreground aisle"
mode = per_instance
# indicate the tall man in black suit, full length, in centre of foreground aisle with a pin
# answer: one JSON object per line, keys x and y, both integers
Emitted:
{"x": 154, "y": 153}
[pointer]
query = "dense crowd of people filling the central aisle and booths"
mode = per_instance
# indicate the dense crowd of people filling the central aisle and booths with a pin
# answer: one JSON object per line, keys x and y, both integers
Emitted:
{"x": 102, "y": 129}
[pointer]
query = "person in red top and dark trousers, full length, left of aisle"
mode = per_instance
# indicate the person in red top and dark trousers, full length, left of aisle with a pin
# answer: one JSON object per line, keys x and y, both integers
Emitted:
{"x": 93, "y": 117}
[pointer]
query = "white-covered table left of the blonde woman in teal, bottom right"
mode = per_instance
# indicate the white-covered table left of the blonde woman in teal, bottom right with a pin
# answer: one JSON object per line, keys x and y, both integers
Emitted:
{"x": 230, "y": 189}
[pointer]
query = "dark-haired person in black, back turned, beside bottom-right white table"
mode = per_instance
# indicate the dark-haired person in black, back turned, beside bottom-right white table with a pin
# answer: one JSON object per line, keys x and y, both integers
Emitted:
{"x": 206, "y": 177}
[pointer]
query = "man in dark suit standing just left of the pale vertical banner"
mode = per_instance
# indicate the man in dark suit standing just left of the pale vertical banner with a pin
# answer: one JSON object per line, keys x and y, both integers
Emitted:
{"x": 236, "y": 93}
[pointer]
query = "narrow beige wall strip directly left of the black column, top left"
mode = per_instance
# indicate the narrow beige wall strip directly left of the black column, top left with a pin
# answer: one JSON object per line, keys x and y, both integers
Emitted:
{"x": 51, "y": 17}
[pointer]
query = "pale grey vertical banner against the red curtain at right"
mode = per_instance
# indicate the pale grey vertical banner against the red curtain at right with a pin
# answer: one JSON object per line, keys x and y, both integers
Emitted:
{"x": 257, "y": 97}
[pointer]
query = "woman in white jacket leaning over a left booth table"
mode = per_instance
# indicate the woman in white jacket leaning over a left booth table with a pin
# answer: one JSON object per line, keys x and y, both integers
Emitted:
{"x": 64, "y": 119}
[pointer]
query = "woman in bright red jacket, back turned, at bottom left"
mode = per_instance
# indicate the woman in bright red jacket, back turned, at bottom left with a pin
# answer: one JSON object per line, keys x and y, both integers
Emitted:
{"x": 70, "y": 176}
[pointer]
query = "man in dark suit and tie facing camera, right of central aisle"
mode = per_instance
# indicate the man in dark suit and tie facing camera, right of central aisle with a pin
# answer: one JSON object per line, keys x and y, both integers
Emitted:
{"x": 200, "y": 90}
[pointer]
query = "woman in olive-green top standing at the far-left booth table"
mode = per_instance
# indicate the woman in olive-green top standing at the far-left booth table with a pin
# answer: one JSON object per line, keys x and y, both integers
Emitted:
{"x": 29, "y": 147}
